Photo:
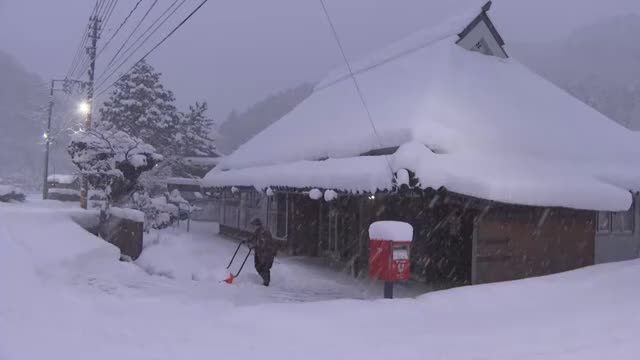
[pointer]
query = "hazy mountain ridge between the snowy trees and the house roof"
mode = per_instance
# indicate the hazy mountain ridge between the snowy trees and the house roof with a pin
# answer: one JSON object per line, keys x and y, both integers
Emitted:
{"x": 238, "y": 128}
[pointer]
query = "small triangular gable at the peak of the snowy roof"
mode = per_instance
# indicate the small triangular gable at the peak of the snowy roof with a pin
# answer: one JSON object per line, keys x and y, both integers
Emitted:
{"x": 481, "y": 36}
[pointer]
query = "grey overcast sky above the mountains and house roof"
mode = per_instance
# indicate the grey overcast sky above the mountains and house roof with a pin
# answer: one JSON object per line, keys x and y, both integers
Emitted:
{"x": 232, "y": 53}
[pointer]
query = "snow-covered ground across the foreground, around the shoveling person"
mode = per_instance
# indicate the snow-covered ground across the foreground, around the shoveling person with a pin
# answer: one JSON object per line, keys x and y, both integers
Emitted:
{"x": 65, "y": 295}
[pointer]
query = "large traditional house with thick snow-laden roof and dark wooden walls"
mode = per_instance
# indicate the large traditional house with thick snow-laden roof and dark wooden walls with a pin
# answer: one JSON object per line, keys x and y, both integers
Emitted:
{"x": 494, "y": 167}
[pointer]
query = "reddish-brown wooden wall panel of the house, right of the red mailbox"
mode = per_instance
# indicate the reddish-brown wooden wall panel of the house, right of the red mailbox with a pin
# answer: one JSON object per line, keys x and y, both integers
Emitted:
{"x": 515, "y": 242}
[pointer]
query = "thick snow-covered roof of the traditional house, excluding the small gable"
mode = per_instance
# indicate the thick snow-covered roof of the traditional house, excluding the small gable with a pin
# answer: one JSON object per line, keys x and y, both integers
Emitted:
{"x": 475, "y": 124}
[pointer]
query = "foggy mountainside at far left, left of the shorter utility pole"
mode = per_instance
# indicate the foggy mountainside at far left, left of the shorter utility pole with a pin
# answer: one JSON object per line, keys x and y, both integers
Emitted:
{"x": 23, "y": 103}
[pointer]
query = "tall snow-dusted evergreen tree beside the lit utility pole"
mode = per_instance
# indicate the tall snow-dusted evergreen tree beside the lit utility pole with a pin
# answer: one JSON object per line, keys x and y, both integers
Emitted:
{"x": 141, "y": 107}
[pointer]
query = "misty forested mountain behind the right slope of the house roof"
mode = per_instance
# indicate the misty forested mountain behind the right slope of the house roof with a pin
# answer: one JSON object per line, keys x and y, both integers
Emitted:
{"x": 598, "y": 64}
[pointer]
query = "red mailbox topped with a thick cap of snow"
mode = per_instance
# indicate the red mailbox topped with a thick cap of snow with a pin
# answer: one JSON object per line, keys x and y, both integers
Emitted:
{"x": 389, "y": 247}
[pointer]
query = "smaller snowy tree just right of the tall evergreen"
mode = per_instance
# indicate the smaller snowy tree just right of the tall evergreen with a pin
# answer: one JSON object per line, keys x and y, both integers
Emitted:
{"x": 195, "y": 136}
